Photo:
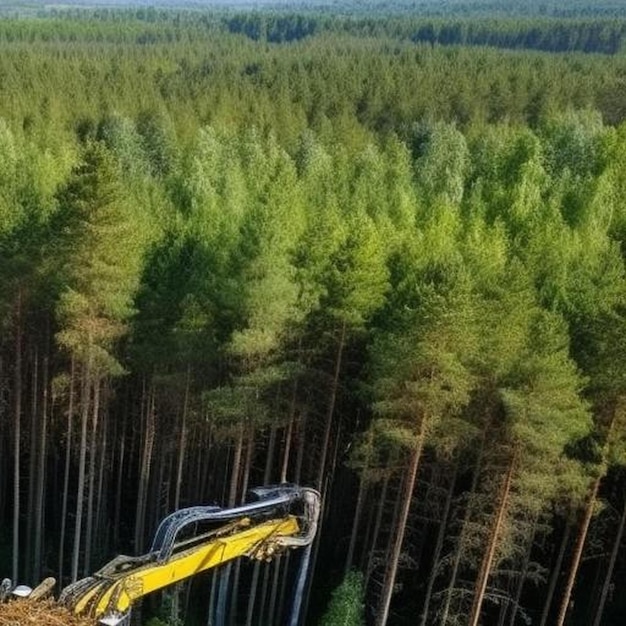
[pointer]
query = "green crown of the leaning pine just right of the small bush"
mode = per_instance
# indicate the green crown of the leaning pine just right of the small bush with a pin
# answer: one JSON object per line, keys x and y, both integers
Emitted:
{"x": 420, "y": 365}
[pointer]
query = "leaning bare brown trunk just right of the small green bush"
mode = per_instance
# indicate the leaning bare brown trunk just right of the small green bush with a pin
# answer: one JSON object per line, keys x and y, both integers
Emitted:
{"x": 396, "y": 550}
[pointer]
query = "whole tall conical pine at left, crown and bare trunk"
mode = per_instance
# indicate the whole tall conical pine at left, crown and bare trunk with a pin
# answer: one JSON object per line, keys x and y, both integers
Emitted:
{"x": 101, "y": 259}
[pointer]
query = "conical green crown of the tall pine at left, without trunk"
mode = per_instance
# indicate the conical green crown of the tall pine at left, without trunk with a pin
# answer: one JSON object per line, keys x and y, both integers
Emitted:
{"x": 100, "y": 259}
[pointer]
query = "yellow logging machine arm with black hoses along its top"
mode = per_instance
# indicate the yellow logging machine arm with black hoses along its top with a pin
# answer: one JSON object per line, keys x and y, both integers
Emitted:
{"x": 197, "y": 539}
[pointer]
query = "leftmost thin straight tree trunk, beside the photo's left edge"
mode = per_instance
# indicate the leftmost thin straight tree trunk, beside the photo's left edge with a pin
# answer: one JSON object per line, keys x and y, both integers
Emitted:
{"x": 17, "y": 417}
